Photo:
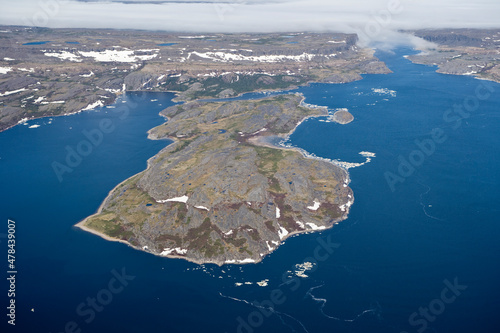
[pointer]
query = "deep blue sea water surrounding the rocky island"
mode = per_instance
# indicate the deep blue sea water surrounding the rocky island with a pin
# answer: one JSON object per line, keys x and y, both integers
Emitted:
{"x": 419, "y": 252}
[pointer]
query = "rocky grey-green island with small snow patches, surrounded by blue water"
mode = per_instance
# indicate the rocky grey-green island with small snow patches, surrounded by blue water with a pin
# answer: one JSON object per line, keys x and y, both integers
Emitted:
{"x": 215, "y": 196}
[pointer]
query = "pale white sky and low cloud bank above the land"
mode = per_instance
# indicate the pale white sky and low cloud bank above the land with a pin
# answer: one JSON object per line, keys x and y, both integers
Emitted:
{"x": 371, "y": 19}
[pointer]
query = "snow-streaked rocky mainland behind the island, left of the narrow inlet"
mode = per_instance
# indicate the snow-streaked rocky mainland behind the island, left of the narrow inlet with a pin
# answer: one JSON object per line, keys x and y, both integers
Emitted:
{"x": 48, "y": 72}
